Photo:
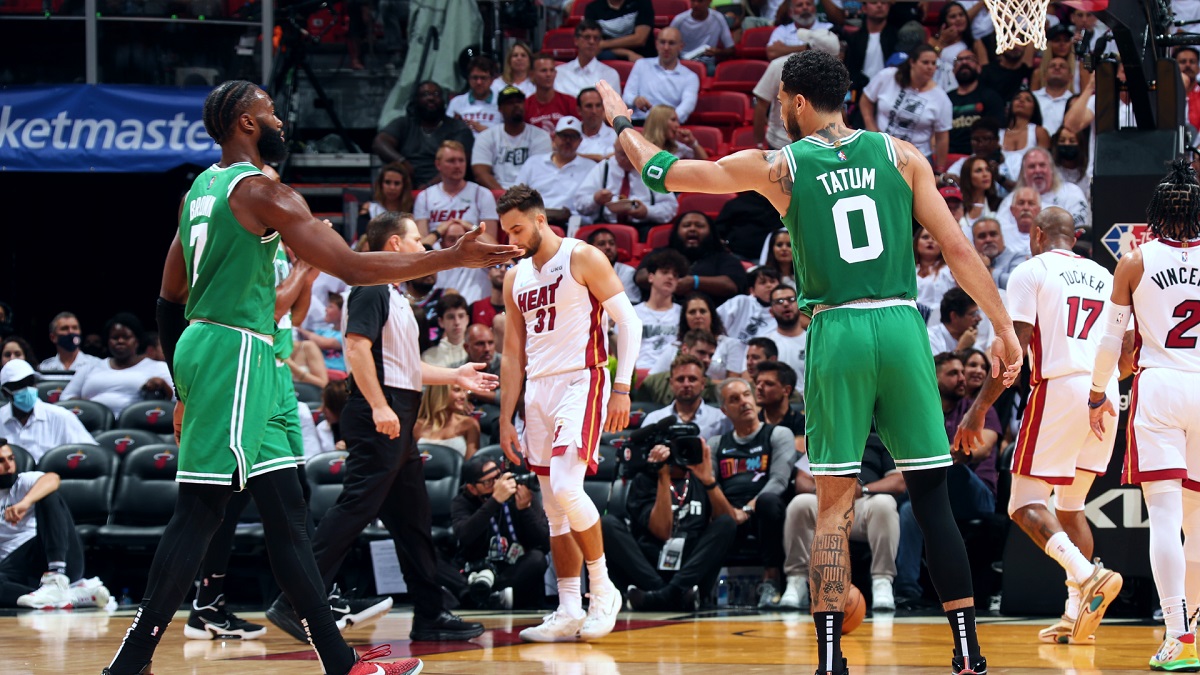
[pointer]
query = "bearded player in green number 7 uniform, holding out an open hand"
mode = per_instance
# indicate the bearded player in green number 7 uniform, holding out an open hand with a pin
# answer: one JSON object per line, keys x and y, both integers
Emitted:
{"x": 233, "y": 432}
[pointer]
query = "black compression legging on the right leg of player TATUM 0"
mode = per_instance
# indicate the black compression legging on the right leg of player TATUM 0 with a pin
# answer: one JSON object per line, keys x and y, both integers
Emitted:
{"x": 949, "y": 568}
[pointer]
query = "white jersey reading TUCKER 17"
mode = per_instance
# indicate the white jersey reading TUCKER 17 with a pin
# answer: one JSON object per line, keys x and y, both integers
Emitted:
{"x": 1064, "y": 296}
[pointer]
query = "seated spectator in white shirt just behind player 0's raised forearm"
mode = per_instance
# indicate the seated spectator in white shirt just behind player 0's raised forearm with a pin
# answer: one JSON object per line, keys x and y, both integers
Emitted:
{"x": 616, "y": 180}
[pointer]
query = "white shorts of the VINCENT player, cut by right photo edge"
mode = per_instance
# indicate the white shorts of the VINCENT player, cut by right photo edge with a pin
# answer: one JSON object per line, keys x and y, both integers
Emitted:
{"x": 1165, "y": 431}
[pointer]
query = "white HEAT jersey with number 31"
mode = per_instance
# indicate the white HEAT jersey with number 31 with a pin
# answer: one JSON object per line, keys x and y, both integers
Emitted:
{"x": 565, "y": 322}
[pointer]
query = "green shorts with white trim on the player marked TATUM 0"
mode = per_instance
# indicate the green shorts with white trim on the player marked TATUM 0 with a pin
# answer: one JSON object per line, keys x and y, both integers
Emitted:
{"x": 866, "y": 363}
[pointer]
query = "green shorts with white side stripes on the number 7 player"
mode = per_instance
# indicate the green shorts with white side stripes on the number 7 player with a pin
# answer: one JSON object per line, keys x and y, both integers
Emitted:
{"x": 233, "y": 422}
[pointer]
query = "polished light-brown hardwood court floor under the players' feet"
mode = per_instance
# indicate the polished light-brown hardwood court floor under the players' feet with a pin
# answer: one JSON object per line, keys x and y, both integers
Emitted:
{"x": 644, "y": 644}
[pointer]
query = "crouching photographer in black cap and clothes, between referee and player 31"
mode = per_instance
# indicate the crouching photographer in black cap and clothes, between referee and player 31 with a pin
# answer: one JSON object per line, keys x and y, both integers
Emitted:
{"x": 503, "y": 537}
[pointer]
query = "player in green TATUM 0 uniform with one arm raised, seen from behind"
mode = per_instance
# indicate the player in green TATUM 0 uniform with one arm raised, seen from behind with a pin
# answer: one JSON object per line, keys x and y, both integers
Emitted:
{"x": 849, "y": 200}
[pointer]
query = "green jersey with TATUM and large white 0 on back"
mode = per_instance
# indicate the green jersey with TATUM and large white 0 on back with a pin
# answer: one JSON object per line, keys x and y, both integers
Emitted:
{"x": 850, "y": 220}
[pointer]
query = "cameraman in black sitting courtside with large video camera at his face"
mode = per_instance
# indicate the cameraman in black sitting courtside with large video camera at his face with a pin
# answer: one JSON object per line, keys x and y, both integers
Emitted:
{"x": 680, "y": 529}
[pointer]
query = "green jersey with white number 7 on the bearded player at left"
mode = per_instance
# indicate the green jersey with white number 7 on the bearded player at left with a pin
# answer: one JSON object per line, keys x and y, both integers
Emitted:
{"x": 230, "y": 271}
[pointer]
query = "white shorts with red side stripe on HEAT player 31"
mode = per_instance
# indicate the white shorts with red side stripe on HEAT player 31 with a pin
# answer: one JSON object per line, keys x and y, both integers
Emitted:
{"x": 562, "y": 411}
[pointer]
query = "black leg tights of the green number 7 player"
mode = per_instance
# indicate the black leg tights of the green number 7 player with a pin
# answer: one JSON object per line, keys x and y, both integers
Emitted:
{"x": 199, "y": 513}
